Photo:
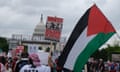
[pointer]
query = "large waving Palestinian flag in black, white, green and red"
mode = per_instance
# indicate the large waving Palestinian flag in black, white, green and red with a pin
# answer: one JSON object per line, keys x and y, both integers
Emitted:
{"x": 90, "y": 33}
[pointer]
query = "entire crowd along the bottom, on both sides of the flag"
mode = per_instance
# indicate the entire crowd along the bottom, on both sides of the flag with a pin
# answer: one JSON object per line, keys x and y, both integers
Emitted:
{"x": 31, "y": 63}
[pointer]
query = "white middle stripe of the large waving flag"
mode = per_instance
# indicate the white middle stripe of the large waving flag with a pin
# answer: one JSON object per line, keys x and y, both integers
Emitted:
{"x": 78, "y": 47}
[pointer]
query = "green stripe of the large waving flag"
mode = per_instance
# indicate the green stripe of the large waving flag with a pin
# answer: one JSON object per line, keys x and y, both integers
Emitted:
{"x": 91, "y": 47}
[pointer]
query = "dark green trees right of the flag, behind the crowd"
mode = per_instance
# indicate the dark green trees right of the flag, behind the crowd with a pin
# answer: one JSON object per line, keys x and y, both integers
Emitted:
{"x": 105, "y": 53}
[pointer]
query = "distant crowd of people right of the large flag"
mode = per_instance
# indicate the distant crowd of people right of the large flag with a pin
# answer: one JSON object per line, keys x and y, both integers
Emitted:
{"x": 95, "y": 65}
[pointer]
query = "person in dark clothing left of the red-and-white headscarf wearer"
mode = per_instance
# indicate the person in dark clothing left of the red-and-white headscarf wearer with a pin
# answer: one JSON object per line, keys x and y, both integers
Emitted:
{"x": 22, "y": 62}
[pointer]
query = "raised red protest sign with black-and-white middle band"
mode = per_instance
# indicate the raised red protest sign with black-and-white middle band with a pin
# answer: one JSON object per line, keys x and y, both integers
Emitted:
{"x": 53, "y": 28}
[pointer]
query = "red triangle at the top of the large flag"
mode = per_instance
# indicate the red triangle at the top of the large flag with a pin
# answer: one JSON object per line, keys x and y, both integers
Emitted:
{"x": 98, "y": 23}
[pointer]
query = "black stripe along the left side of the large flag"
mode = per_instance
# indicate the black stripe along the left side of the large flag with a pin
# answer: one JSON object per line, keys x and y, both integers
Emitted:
{"x": 79, "y": 28}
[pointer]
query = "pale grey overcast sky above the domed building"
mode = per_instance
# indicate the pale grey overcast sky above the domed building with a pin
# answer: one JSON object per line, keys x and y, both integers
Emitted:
{"x": 21, "y": 16}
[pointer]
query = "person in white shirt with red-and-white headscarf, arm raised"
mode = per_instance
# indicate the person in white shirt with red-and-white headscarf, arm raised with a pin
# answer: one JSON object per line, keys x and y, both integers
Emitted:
{"x": 35, "y": 65}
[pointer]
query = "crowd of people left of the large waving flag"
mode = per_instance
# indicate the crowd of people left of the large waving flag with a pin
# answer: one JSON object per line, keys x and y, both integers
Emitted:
{"x": 25, "y": 63}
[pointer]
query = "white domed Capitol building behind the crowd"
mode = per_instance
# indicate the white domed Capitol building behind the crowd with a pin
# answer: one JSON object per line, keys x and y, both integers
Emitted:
{"x": 37, "y": 38}
